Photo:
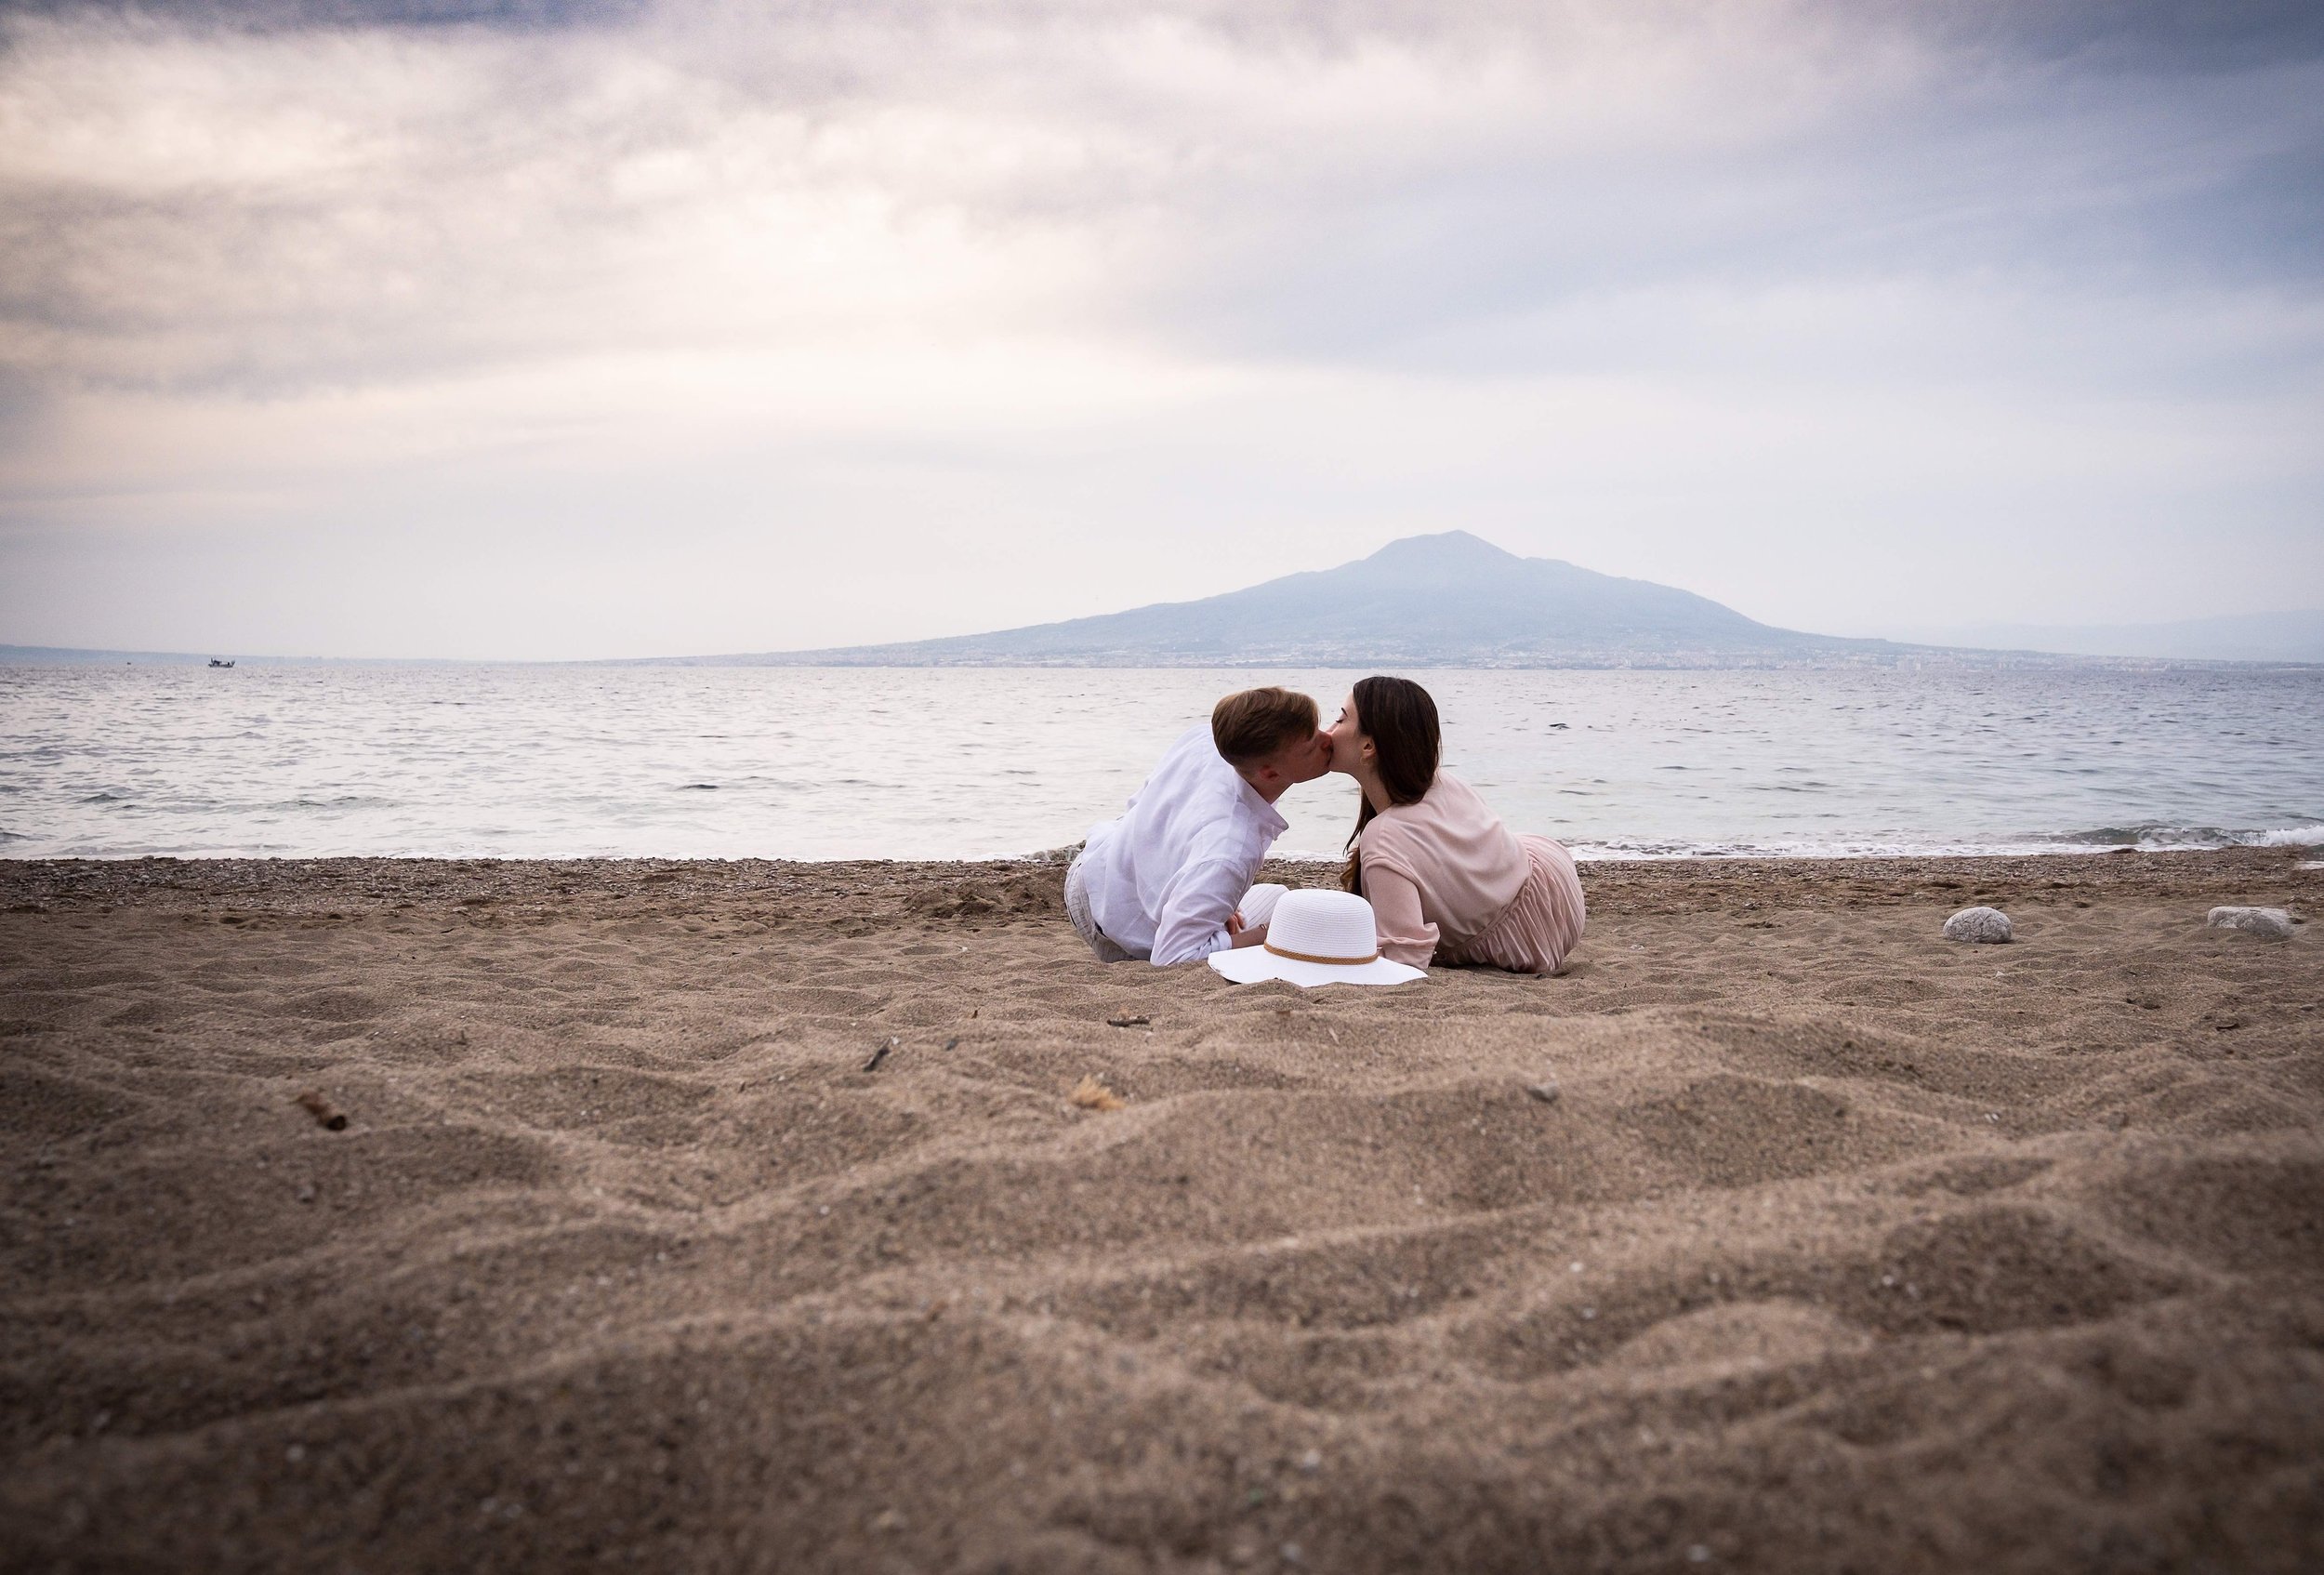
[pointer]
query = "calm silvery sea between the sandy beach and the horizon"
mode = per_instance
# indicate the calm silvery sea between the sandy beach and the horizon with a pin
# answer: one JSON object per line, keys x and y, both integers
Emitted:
{"x": 975, "y": 763}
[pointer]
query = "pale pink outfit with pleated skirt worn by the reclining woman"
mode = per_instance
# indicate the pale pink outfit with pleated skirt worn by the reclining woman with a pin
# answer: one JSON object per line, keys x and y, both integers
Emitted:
{"x": 1451, "y": 884}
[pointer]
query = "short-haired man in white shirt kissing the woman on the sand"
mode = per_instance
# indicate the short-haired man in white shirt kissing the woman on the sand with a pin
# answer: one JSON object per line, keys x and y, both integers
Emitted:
{"x": 1170, "y": 879}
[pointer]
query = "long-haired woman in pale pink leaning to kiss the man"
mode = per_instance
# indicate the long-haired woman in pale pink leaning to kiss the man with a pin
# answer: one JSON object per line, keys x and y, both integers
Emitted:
{"x": 1447, "y": 879}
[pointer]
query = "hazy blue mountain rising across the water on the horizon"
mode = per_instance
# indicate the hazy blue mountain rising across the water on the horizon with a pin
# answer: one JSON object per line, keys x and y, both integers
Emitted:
{"x": 1447, "y": 600}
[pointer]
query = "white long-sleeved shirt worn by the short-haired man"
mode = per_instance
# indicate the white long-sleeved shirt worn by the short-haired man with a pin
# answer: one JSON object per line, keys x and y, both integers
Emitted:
{"x": 1165, "y": 877}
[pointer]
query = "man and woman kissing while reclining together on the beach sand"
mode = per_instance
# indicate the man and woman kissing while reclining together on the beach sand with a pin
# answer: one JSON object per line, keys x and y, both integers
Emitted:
{"x": 1437, "y": 872}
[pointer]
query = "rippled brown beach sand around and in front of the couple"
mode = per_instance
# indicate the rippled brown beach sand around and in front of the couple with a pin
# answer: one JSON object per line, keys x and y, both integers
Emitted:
{"x": 743, "y": 1218}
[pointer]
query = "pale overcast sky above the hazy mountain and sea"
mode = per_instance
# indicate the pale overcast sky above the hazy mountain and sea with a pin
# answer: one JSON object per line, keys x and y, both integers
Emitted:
{"x": 557, "y": 331}
